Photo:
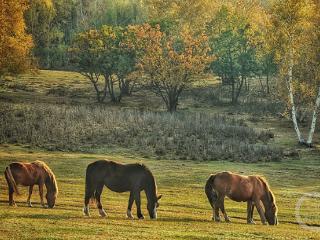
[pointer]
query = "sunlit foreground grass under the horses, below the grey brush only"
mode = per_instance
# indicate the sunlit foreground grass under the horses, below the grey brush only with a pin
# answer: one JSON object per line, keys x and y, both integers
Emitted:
{"x": 184, "y": 212}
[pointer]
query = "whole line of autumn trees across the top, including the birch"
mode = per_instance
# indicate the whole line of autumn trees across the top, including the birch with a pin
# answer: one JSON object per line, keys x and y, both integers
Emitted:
{"x": 167, "y": 45}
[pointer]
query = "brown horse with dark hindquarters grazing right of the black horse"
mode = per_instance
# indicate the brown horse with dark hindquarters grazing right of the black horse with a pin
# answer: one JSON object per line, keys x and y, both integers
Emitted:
{"x": 250, "y": 189}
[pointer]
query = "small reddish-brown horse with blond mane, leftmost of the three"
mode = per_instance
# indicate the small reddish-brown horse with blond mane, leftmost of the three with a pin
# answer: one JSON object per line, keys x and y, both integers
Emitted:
{"x": 30, "y": 174}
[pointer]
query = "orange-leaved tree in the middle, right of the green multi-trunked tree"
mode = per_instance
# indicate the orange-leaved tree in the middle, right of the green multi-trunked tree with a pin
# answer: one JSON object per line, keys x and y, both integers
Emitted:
{"x": 170, "y": 64}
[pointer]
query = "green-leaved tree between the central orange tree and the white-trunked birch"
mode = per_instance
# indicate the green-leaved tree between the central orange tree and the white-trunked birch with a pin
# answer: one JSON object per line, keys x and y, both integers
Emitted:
{"x": 235, "y": 55}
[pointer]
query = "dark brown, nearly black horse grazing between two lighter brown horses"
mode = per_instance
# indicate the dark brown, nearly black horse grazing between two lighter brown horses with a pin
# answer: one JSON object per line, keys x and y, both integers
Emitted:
{"x": 132, "y": 178}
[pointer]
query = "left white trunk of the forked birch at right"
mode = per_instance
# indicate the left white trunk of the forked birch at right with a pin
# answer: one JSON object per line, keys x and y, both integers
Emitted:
{"x": 291, "y": 98}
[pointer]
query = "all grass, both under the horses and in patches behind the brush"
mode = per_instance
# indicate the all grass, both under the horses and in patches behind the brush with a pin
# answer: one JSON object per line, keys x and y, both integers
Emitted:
{"x": 184, "y": 211}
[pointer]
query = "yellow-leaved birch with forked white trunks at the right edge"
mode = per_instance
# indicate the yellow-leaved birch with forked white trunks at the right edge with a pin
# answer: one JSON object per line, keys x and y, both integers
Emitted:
{"x": 296, "y": 39}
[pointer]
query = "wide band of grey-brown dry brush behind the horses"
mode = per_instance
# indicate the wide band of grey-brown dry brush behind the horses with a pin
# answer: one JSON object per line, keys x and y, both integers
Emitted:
{"x": 194, "y": 136}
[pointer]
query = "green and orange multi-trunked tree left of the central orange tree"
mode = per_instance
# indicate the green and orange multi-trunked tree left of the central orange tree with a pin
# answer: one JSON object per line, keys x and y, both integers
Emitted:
{"x": 106, "y": 53}
